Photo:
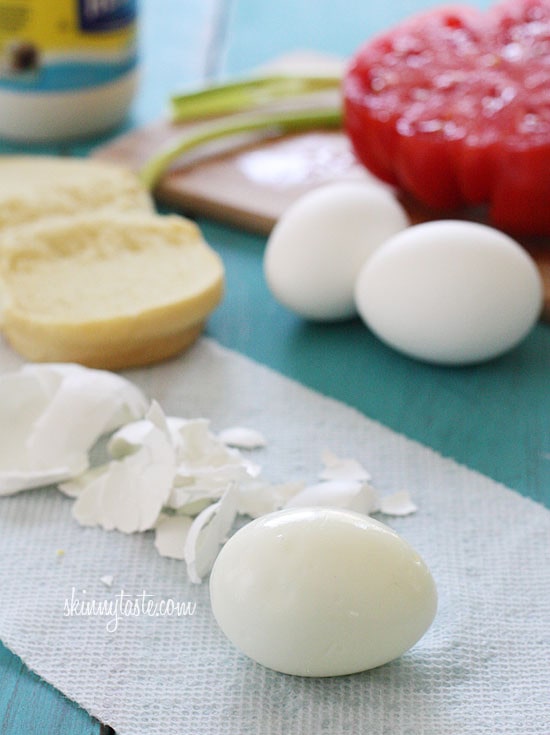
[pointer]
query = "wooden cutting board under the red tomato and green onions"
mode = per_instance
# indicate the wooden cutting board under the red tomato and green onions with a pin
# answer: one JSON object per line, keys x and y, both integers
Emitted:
{"x": 249, "y": 183}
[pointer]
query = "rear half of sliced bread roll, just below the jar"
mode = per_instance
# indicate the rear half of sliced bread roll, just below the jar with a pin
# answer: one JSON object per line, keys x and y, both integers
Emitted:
{"x": 33, "y": 187}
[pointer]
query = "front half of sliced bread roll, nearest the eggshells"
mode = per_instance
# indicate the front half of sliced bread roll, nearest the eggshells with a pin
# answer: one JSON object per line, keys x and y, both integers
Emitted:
{"x": 109, "y": 291}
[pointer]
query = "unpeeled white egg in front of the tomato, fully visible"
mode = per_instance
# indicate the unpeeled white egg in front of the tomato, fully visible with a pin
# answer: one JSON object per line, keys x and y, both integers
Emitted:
{"x": 450, "y": 292}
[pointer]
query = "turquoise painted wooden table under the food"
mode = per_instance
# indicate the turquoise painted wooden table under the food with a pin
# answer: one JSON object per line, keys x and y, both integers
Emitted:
{"x": 494, "y": 418}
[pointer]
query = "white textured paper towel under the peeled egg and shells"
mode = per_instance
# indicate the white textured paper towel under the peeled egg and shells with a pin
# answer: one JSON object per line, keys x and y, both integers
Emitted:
{"x": 483, "y": 668}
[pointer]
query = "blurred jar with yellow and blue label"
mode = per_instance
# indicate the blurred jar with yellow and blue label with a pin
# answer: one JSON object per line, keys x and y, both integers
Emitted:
{"x": 68, "y": 68}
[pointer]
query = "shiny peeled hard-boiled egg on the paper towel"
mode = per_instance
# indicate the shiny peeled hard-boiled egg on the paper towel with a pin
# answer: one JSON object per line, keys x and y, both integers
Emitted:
{"x": 321, "y": 592}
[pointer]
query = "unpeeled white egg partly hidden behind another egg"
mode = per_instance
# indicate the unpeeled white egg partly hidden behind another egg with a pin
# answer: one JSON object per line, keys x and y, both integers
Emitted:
{"x": 318, "y": 245}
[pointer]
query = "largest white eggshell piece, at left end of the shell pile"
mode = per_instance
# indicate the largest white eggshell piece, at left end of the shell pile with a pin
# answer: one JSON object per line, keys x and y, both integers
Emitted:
{"x": 50, "y": 417}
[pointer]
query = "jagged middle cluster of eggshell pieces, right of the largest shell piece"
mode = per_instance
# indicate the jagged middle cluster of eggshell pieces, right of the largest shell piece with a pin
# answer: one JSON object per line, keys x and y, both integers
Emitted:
{"x": 163, "y": 471}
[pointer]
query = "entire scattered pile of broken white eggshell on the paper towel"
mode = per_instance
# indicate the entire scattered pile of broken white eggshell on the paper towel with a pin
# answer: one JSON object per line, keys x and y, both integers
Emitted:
{"x": 163, "y": 470}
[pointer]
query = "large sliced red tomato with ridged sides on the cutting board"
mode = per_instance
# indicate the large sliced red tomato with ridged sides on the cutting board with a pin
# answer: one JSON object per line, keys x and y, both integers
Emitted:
{"x": 453, "y": 107}
